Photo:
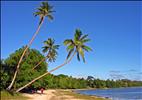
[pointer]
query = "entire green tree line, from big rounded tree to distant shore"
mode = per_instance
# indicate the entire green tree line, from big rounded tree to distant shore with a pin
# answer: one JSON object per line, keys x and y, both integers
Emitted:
{"x": 61, "y": 81}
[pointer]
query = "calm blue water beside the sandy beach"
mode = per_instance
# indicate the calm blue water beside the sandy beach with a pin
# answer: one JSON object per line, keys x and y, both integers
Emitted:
{"x": 131, "y": 93}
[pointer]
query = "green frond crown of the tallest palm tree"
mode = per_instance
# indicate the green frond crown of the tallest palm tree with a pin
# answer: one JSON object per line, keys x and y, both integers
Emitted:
{"x": 45, "y": 10}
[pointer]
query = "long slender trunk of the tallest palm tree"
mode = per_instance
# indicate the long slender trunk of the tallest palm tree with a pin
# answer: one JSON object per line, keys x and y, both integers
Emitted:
{"x": 15, "y": 74}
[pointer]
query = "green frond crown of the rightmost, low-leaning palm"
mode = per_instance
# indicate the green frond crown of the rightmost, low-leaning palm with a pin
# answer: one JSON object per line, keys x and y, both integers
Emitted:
{"x": 77, "y": 44}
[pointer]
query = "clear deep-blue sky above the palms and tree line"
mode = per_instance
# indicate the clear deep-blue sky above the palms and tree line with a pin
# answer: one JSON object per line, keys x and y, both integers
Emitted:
{"x": 114, "y": 28}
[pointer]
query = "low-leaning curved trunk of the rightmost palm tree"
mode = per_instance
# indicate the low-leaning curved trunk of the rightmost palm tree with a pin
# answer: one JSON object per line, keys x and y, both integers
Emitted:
{"x": 66, "y": 62}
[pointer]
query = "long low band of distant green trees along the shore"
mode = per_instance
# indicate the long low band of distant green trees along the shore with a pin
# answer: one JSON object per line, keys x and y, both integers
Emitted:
{"x": 68, "y": 82}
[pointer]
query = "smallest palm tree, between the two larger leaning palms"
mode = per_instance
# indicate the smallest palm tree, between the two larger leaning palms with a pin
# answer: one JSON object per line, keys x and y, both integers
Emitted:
{"x": 51, "y": 48}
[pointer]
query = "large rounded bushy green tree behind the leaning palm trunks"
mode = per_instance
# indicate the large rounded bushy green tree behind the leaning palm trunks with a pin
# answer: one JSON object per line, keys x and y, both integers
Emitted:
{"x": 31, "y": 58}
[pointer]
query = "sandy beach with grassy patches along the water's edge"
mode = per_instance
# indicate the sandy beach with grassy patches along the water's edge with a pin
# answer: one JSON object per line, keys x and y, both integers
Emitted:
{"x": 54, "y": 94}
